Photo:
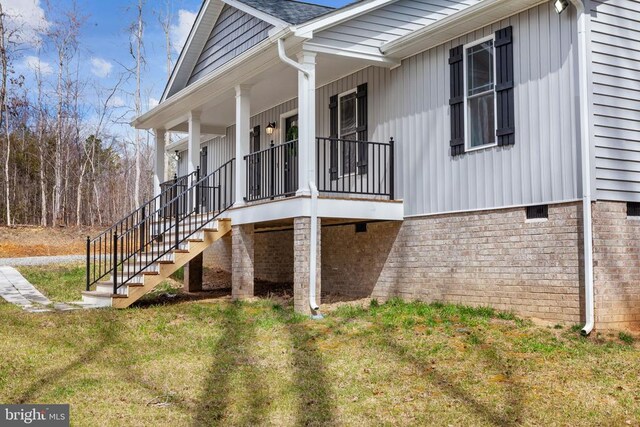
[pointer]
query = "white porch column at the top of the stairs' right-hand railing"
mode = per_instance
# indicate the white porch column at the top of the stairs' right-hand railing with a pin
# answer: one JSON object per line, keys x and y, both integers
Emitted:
{"x": 243, "y": 112}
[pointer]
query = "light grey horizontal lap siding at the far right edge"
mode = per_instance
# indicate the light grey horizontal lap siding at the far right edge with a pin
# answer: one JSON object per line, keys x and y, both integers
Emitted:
{"x": 615, "y": 55}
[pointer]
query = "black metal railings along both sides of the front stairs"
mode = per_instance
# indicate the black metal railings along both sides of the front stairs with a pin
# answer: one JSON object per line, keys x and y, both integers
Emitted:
{"x": 159, "y": 226}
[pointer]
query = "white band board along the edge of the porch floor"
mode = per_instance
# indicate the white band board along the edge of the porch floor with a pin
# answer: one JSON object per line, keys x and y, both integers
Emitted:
{"x": 327, "y": 208}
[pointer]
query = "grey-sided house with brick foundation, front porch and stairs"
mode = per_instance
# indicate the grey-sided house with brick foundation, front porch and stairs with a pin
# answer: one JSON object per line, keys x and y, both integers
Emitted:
{"x": 485, "y": 152}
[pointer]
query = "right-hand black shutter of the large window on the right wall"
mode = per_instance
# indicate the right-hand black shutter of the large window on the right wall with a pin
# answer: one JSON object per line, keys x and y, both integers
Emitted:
{"x": 504, "y": 87}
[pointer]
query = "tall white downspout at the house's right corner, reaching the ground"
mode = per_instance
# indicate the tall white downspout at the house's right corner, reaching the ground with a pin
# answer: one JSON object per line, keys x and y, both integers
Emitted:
{"x": 585, "y": 145}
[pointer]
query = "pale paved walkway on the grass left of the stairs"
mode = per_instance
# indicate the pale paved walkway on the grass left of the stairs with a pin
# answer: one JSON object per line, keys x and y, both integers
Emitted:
{"x": 17, "y": 290}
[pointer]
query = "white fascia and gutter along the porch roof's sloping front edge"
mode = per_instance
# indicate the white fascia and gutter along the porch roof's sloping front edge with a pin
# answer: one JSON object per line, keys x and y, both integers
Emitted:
{"x": 237, "y": 64}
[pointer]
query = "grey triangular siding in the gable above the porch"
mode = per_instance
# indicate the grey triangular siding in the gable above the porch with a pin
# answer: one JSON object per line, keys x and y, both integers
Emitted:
{"x": 234, "y": 33}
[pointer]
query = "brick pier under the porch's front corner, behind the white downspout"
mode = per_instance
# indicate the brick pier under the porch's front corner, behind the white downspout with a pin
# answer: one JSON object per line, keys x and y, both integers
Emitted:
{"x": 301, "y": 242}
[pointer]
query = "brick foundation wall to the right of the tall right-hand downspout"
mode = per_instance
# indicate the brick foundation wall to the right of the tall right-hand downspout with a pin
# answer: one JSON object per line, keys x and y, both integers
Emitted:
{"x": 616, "y": 258}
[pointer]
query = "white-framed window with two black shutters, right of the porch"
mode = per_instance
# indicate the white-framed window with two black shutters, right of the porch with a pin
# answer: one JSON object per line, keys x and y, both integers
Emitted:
{"x": 482, "y": 93}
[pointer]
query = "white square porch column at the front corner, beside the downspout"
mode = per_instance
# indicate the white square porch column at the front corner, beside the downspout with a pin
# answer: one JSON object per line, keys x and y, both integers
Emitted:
{"x": 307, "y": 121}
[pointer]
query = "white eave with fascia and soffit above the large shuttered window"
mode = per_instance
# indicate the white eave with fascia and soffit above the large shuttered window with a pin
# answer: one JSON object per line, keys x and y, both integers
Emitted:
{"x": 424, "y": 38}
